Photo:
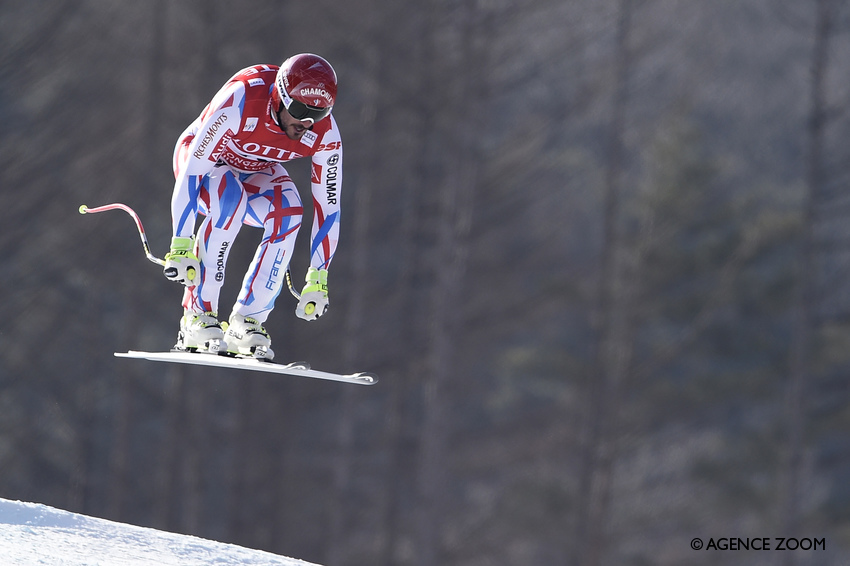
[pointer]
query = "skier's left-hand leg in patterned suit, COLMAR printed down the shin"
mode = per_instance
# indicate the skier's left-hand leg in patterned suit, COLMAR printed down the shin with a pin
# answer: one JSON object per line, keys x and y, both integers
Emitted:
{"x": 223, "y": 202}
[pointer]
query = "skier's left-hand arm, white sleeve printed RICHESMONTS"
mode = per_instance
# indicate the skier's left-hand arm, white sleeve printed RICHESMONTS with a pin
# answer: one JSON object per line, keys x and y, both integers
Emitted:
{"x": 197, "y": 151}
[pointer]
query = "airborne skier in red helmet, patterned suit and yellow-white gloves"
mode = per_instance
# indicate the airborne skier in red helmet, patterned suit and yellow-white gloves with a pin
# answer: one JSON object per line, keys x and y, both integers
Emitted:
{"x": 228, "y": 167}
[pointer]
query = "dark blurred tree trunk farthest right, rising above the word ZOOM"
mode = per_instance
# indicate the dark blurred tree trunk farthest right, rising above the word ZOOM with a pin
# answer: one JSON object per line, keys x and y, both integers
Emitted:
{"x": 801, "y": 346}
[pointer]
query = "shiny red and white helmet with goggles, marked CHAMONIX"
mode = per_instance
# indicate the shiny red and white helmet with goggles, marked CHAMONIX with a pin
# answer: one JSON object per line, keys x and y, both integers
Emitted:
{"x": 306, "y": 87}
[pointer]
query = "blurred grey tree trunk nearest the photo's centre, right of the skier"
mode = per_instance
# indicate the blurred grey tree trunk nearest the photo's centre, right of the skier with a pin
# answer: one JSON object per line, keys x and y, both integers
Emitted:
{"x": 452, "y": 250}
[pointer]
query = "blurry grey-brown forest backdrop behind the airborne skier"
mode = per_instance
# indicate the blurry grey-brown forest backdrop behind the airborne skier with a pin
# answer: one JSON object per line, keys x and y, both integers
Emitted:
{"x": 597, "y": 250}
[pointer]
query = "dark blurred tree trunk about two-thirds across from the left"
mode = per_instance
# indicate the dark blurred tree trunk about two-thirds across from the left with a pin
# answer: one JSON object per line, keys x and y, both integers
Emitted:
{"x": 614, "y": 348}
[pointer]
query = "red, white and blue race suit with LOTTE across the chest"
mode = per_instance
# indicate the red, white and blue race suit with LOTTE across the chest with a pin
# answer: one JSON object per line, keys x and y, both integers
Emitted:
{"x": 227, "y": 166}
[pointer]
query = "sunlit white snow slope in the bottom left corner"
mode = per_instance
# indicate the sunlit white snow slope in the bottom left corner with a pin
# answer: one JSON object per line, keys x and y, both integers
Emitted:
{"x": 33, "y": 534}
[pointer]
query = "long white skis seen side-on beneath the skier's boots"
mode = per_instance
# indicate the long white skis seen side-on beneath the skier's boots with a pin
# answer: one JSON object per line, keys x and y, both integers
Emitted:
{"x": 300, "y": 369}
